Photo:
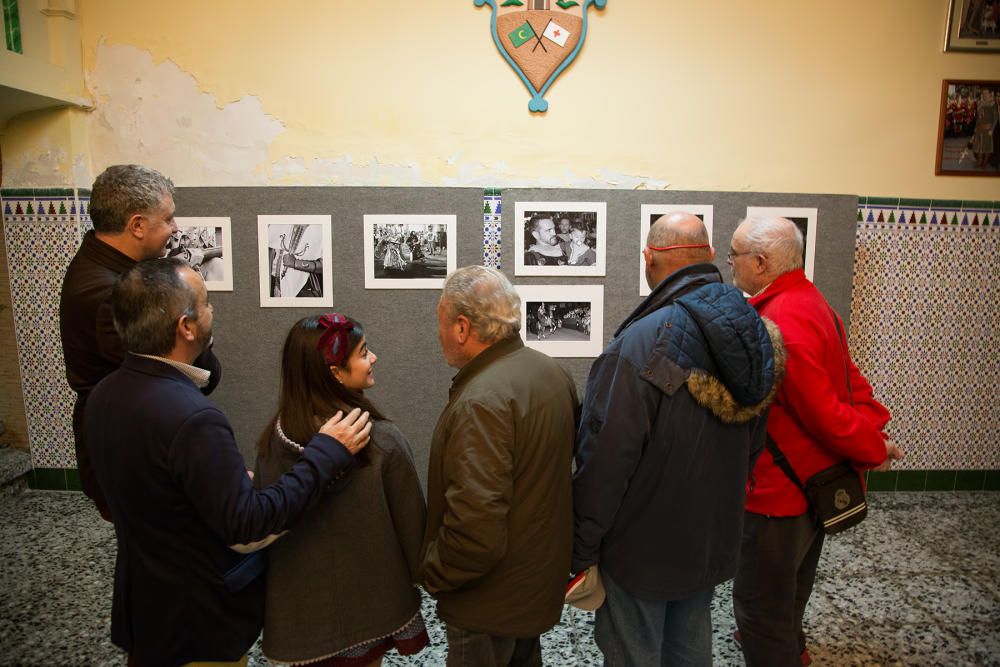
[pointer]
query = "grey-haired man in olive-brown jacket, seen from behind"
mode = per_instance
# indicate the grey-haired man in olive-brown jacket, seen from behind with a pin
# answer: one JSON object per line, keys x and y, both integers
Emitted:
{"x": 499, "y": 506}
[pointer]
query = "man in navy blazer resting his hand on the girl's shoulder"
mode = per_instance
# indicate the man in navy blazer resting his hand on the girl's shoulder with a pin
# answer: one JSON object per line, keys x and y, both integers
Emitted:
{"x": 183, "y": 505}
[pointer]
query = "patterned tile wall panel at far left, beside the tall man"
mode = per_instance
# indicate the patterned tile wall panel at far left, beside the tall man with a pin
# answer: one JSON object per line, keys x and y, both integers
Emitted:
{"x": 42, "y": 235}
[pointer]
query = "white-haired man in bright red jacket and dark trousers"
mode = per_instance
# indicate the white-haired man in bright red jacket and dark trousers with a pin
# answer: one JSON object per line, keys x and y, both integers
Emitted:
{"x": 824, "y": 413}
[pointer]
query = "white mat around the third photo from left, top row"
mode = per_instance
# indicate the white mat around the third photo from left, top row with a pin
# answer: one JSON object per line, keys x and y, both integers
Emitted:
{"x": 447, "y": 222}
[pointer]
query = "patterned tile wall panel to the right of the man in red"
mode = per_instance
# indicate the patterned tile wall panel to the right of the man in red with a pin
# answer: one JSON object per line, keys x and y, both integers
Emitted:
{"x": 922, "y": 315}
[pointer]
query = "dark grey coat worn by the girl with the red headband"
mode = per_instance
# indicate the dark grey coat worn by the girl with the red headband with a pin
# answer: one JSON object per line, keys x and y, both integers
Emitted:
{"x": 345, "y": 573}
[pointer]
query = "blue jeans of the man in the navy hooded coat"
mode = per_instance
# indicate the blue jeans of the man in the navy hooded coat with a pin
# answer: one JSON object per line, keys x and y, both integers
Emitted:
{"x": 643, "y": 633}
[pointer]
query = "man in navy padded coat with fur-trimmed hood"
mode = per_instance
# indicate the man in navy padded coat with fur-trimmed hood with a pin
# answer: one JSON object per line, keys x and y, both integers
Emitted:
{"x": 673, "y": 420}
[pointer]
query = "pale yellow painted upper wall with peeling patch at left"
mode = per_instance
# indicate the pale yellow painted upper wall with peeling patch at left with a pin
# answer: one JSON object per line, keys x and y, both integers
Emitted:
{"x": 783, "y": 95}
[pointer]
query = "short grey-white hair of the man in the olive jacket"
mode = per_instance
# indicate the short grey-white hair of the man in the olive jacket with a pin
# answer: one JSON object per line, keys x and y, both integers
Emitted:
{"x": 487, "y": 298}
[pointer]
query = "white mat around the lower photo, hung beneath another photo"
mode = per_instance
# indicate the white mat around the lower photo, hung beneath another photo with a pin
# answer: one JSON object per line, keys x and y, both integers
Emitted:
{"x": 592, "y": 295}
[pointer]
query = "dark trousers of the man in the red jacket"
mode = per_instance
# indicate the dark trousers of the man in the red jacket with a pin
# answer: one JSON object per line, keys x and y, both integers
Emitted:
{"x": 778, "y": 559}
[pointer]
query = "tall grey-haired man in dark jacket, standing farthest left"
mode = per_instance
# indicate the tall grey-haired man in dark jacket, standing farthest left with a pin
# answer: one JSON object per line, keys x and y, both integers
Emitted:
{"x": 132, "y": 208}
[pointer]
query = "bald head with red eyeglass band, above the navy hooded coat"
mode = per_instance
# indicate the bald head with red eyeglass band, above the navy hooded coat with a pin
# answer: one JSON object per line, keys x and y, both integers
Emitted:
{"x": 675, "y": 229}
